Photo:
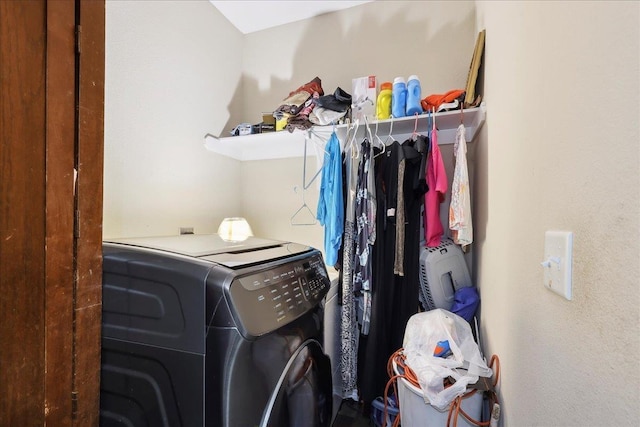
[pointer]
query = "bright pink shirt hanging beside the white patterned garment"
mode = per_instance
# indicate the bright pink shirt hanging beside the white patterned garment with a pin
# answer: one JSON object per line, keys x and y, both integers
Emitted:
{"x": 438, "y": 183}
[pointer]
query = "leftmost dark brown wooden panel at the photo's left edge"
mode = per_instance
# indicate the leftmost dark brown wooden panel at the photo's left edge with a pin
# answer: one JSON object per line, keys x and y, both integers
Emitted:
{"x": 22, "y": 212}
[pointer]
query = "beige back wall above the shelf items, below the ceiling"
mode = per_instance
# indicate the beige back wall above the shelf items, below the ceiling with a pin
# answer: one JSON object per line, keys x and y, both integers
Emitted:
{"x": 384, "y": 38}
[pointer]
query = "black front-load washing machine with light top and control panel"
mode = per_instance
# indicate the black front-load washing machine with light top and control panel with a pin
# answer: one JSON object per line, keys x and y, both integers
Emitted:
{"x": 198, "y": 331}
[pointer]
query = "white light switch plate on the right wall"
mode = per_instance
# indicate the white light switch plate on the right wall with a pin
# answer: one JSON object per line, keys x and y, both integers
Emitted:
{"x": 558, "y": 249}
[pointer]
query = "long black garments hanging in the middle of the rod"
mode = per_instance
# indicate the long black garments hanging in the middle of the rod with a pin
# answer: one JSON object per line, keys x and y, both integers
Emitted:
{"x": 395, "y": 298}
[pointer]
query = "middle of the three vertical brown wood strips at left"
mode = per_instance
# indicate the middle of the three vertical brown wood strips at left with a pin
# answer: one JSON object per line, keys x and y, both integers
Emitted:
{"x": 60, "y": 161}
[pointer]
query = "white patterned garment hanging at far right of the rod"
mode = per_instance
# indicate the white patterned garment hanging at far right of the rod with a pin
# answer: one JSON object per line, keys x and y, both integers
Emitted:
{"x": 460, "y": 222}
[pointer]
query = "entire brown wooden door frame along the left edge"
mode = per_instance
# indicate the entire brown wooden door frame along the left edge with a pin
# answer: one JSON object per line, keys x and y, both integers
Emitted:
{"x": 51, "y": 165}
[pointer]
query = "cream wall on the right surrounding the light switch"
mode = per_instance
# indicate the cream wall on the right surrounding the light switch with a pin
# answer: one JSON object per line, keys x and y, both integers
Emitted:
{"x": 560, "y": 151}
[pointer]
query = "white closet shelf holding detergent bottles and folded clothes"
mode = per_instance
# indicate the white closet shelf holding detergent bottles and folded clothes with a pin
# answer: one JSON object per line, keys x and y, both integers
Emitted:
{"x": 283, "y": 144}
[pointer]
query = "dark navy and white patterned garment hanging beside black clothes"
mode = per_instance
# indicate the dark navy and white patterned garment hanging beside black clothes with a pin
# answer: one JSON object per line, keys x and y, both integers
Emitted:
{"x": 365, "y": 217}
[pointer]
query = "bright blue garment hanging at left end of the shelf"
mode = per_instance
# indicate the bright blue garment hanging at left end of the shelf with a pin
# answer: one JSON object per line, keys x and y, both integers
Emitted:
{"x": 330, "y": 210}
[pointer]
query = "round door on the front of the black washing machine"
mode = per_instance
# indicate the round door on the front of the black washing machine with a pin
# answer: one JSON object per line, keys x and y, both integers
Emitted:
{"x": 303, "y": 395}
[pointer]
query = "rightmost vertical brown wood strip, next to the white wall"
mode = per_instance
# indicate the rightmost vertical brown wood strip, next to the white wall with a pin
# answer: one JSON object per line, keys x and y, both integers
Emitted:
{"x": 89, "y": 204}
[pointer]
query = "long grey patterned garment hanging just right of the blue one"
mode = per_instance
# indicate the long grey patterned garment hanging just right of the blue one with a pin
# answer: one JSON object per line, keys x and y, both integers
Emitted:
{"x": 349, "y": 326}
